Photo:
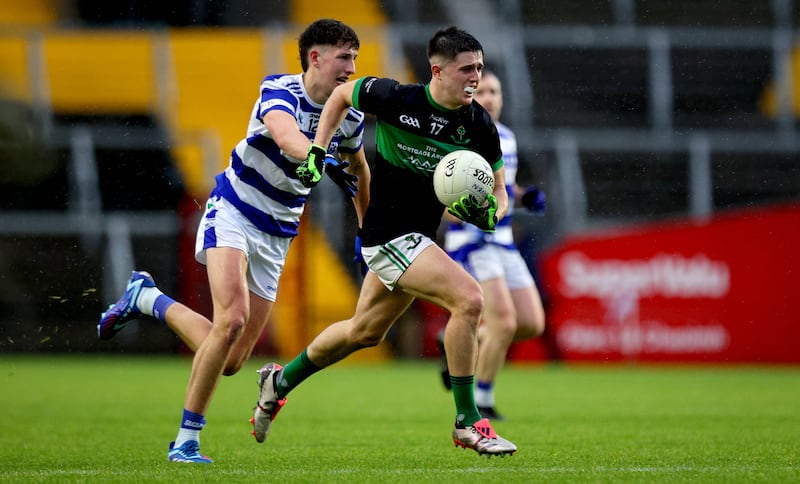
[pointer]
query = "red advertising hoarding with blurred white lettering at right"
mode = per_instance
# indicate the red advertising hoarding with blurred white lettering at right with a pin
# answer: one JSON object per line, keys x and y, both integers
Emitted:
{"x": 723, "y": 290}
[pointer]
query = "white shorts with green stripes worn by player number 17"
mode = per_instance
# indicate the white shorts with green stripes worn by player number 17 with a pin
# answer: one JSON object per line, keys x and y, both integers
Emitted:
{"x": 390, "y": 260}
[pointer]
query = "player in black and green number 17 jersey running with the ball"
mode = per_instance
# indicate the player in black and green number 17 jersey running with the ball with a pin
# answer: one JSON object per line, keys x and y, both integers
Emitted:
{"x": 416, "y": 126}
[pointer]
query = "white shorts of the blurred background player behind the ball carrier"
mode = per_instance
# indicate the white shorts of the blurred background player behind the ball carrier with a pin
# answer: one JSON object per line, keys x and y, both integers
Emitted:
{"x": 493, "y": 261}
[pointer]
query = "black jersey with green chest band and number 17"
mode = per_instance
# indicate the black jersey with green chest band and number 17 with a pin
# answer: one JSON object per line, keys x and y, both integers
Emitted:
{"x": 412, "y": 134}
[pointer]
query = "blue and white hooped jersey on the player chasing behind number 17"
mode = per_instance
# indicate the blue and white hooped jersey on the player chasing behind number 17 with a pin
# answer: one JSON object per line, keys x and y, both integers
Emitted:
{"x": 260, "y": 180}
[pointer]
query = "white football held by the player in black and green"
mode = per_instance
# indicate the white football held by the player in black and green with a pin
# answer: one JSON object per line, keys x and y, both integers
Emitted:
{"x": 460, "y": 173}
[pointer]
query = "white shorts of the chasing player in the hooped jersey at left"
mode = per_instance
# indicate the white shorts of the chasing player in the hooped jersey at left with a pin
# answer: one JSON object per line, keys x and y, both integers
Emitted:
{"x": 223, "y": 225}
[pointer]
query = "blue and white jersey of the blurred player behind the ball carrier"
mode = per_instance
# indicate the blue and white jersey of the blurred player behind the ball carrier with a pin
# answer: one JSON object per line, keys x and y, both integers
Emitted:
{"x": 461, "y": 238}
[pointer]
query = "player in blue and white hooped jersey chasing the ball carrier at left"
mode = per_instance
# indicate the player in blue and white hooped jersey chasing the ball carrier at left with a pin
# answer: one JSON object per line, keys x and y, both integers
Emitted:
{"x": 251, "y": 217}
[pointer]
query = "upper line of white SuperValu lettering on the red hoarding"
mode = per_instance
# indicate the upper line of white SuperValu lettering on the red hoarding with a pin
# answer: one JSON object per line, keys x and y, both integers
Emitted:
{"x": 667, "y": 275}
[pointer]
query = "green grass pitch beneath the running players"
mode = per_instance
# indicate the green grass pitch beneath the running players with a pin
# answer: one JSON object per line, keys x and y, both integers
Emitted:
{"x": 110, "y": 419}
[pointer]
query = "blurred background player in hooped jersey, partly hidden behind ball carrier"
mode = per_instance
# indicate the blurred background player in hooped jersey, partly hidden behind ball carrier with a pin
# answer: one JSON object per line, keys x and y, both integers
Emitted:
{"x": 513, "y": 307}
